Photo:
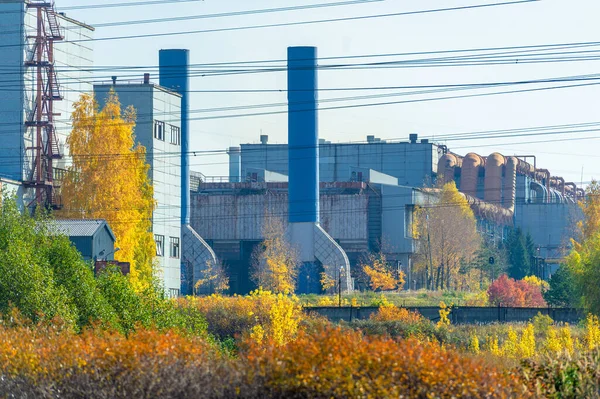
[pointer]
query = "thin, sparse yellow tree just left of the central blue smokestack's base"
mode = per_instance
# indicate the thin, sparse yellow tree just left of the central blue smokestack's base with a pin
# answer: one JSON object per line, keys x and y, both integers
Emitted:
{"x": 275, "y": 262}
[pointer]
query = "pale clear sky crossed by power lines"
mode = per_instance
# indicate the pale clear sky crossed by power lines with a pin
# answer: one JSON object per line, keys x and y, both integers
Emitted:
{"x": 531, "y": 23}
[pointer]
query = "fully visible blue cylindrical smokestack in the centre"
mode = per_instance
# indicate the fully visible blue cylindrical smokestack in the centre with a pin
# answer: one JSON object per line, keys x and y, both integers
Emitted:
{"x": 303, "y": 135}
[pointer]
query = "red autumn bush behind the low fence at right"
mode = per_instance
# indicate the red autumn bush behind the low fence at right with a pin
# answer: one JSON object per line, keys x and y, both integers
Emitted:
{"x": 506, "y": 291}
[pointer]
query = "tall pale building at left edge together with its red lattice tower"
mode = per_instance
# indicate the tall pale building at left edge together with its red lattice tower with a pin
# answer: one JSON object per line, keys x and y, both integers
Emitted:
{"x": 39, "y": 48}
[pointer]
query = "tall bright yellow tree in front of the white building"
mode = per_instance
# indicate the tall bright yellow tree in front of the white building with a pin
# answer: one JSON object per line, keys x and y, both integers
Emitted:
{"x": 109, "y": 180}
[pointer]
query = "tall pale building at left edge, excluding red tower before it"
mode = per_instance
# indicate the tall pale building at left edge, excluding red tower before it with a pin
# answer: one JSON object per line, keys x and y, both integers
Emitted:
{"x": 73, "y": 58}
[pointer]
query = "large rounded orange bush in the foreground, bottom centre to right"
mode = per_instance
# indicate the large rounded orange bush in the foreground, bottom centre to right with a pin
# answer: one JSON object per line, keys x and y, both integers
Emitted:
{"x": 337, "y": 363}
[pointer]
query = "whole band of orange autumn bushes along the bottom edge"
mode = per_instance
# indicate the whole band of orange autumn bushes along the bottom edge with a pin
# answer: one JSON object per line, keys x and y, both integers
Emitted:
{"x": 48, "y": 362}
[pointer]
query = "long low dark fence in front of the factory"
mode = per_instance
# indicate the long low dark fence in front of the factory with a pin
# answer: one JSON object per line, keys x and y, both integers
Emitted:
{"x": 458, "y": 315}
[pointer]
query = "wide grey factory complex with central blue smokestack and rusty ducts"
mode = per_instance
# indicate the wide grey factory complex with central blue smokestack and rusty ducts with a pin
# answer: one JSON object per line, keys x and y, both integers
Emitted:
{"x": 367, "y": 192}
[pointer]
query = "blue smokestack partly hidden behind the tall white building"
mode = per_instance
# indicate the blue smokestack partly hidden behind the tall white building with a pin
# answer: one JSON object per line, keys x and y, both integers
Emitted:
{"x": 174, "y": 75}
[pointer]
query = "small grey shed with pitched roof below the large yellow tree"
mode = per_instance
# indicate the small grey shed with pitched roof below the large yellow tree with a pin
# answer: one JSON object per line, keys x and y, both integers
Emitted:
{"x": 93, "y": 238}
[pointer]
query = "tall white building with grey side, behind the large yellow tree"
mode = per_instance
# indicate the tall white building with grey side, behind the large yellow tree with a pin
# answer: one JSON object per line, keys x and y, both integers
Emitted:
{"x": 158, "y": 128}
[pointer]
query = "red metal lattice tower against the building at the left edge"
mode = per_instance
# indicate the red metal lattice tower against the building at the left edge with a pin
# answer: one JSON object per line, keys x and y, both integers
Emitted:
{"x": 44, "y": 149}
